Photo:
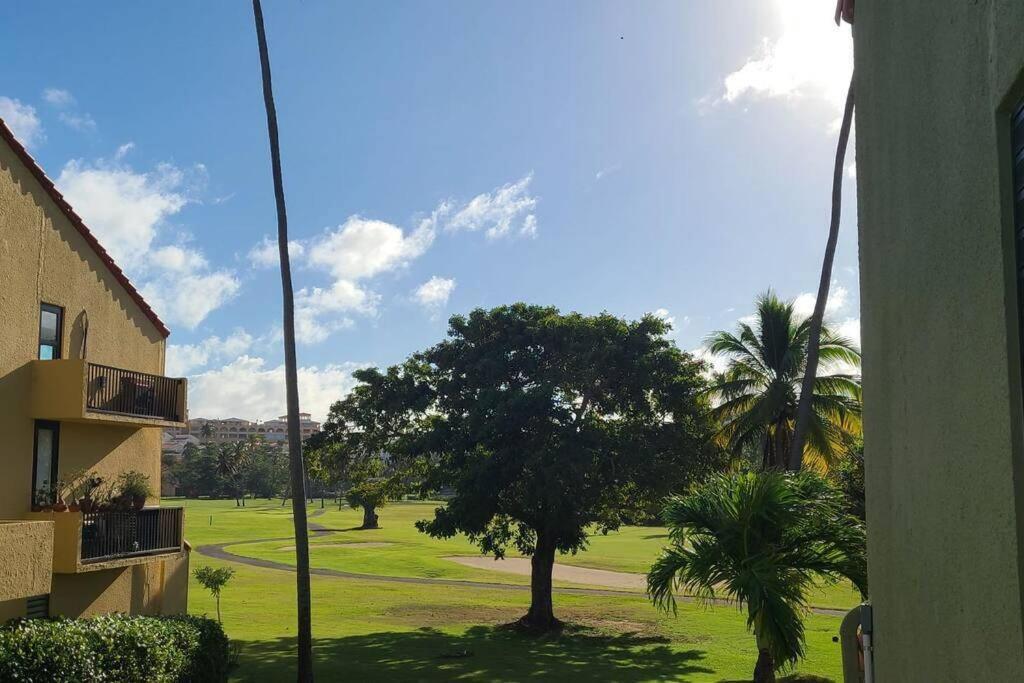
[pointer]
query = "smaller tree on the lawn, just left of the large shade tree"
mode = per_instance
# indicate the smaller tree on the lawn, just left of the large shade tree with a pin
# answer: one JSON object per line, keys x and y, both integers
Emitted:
{"x": 365, "y": 441}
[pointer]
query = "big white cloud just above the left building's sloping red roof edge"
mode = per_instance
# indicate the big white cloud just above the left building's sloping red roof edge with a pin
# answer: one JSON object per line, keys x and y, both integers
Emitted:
{"x": 130, "y": 212}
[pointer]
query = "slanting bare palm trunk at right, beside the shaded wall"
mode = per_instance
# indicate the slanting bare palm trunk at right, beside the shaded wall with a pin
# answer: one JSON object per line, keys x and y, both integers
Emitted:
{"x": 815, "y": 338}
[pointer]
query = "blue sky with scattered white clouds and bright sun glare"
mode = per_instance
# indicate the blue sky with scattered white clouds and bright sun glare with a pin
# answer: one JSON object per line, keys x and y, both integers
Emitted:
{"x": 672, "y": 158}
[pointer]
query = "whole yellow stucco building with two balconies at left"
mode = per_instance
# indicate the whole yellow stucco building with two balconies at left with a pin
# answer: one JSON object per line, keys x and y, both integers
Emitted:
{"x": 81, "y": 390}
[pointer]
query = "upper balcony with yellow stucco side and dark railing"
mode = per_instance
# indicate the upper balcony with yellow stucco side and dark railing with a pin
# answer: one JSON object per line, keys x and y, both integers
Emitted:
{"x": 75, "y": 391}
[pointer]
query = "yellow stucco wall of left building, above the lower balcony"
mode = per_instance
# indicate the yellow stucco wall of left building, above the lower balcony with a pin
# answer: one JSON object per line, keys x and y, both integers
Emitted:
{"x": 44, "y": 259}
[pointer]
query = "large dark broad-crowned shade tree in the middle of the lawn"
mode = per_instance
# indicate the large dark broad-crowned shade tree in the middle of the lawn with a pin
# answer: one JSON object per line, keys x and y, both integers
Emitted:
{"x": 547, "y": 426}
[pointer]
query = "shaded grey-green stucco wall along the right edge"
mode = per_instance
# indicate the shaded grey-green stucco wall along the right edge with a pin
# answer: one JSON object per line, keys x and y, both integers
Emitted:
{"x": 943, "y": 410}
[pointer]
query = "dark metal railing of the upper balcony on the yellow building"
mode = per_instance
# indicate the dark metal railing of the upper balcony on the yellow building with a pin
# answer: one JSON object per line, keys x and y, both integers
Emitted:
{"x": 129, "y": 393}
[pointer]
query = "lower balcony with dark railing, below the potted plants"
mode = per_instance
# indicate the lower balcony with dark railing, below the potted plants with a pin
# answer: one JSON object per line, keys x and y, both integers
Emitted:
{"x": 92, "y": 541}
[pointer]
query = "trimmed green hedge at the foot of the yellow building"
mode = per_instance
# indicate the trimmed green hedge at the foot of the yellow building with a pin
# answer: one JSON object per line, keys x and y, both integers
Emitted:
{"x": 162, "y": 650}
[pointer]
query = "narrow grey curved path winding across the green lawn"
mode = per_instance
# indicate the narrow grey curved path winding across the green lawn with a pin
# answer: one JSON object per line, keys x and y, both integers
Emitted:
{"x": 219, "y": 551}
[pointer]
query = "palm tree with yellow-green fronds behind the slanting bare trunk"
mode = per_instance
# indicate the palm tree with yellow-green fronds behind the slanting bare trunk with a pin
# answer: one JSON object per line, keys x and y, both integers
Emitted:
{"x": 756, "y": 397}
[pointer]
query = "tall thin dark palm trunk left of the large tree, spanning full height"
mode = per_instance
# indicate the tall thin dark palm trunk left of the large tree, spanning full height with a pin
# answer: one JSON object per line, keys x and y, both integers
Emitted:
{"x": 306, "y": 657}
